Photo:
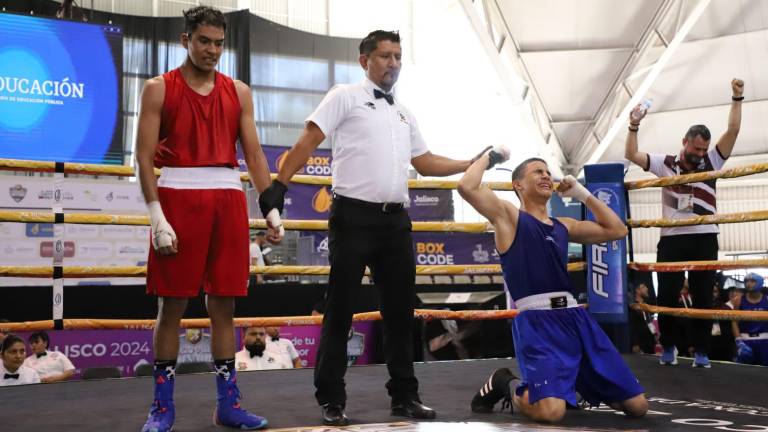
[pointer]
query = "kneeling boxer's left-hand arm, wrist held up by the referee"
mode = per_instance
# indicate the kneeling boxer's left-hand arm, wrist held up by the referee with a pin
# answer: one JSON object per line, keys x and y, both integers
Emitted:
{"x": 502, "y": 214}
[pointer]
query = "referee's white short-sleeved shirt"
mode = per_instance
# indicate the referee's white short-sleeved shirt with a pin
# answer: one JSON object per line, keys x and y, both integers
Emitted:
{"x": 373, "y": 142}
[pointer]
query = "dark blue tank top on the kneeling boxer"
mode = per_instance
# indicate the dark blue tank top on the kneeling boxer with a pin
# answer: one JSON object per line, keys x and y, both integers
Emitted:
{"x": 536, "y": 263}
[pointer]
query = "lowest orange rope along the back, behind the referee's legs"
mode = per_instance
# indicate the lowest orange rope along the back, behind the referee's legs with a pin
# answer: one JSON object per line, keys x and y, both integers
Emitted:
{"x": 147, "y": 324}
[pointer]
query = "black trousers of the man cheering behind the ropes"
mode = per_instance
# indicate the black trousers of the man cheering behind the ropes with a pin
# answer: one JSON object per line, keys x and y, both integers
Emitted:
{"x": 686, "y": 247}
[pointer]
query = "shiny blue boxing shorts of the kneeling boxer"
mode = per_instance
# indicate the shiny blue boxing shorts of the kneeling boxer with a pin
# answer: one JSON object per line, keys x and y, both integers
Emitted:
{"x": 564, "y": 351}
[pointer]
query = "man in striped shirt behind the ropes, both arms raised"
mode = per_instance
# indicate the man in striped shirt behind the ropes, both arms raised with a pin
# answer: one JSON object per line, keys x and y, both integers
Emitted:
{"x": 689, "y": 243}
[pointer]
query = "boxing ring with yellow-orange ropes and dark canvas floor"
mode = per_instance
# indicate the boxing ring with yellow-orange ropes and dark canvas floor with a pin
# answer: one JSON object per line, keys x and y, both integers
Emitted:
{"x": 727, "y": 397}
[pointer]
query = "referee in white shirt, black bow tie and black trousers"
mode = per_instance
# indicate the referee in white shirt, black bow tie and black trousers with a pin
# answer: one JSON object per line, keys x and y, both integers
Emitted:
{"x": 374, "y": 139}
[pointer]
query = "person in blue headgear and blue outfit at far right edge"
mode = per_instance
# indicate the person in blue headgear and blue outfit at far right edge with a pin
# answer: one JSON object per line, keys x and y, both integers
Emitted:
{"x": 752, "y": 336}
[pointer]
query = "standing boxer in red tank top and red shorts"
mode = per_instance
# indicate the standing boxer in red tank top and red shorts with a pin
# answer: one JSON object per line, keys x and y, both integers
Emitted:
{"x": 189, "y": 123}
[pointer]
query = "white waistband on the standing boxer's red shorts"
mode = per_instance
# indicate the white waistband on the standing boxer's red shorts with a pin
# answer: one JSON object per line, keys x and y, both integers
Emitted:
{"x": 200, "y": 178}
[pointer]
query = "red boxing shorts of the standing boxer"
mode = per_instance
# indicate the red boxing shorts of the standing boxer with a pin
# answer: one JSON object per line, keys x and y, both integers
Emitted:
{"x": 211, "y": 226}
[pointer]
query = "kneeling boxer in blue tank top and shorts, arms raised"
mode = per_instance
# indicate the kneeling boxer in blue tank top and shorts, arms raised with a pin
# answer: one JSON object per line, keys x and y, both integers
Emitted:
{"x": 560, "y": 349}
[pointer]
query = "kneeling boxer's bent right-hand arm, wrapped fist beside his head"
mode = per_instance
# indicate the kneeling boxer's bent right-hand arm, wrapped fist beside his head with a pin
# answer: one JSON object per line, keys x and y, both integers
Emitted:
{"x": 607, "y": 225}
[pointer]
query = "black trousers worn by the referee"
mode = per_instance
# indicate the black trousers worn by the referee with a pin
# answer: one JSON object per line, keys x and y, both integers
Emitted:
{"x": 363, "y": 235}
